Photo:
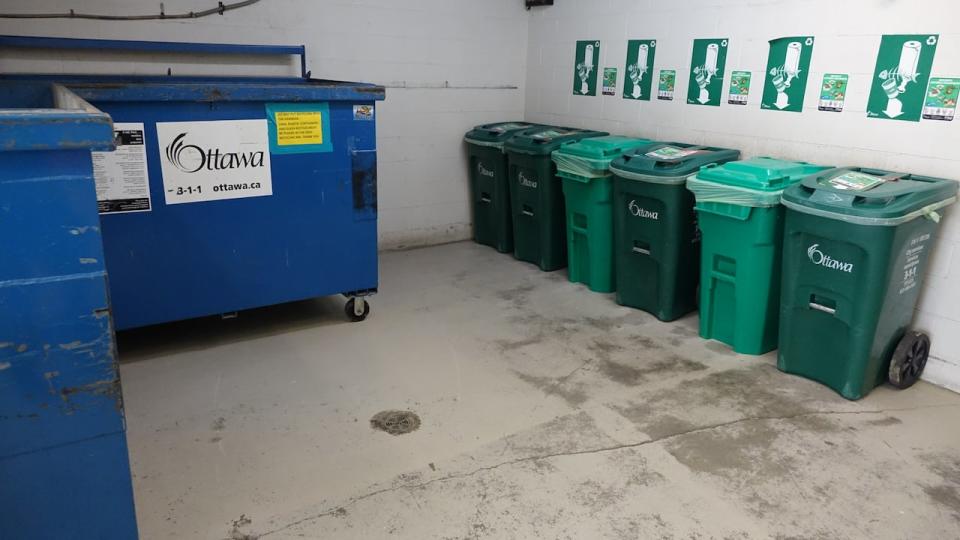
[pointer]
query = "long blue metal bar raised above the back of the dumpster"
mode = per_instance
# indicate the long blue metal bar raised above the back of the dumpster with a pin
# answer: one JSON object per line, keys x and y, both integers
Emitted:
{"x": 29, "y": 42}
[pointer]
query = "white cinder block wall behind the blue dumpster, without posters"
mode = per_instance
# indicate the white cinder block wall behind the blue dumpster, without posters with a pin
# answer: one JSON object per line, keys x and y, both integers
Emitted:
{"x": 448, "y": 65}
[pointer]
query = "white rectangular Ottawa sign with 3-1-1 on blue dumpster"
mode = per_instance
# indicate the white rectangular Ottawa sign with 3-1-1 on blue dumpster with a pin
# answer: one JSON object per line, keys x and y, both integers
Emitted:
{"x": 216, "y": 160}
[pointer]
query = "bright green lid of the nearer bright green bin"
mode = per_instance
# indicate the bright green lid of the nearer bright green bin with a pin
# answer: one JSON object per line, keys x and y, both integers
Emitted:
{"x": 759, "y": 174}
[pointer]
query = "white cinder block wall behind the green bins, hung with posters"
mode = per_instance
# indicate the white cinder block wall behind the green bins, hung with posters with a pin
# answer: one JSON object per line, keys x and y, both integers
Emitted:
{"x": 847, "y": 37}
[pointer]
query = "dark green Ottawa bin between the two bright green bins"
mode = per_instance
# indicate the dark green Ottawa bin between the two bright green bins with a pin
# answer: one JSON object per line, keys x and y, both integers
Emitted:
{"x": 655, "y": 227}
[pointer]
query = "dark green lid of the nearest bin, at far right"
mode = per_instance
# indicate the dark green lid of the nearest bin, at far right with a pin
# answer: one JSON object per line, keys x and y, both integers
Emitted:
{"x": 870, "y": 196}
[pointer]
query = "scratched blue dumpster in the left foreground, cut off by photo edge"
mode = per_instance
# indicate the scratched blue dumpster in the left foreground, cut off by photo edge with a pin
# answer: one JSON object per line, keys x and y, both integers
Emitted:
{"x": 64, "y": 470}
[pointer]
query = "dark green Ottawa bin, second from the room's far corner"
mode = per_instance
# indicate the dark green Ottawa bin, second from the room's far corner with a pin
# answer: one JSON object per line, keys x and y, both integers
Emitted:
{"x": 536, "y": 196}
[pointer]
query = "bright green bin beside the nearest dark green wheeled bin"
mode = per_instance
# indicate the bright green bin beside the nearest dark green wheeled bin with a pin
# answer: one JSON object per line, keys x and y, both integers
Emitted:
{"x": 741, "y": 219}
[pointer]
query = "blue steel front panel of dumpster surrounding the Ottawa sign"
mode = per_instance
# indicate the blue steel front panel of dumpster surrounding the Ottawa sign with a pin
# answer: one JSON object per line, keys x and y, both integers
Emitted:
{"x": 195, "y": 259}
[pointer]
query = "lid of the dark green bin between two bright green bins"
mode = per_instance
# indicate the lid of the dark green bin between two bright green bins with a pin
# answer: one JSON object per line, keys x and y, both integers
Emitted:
{"x": 670, "y": 159}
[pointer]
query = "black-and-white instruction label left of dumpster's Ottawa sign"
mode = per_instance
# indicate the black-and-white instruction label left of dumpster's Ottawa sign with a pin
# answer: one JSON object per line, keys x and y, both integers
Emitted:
{"x": 121, "y": 176}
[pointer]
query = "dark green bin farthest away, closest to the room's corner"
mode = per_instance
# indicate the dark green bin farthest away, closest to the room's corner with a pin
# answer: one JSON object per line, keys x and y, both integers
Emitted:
{"x": 489, "y": 189}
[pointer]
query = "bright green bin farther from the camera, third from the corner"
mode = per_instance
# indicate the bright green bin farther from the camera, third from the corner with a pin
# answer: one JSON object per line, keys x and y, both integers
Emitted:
{"x": 588, "y": 192}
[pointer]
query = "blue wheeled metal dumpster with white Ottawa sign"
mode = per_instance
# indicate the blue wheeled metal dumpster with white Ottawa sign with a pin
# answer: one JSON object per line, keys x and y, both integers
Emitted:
{"x": 230, "y": 193}
